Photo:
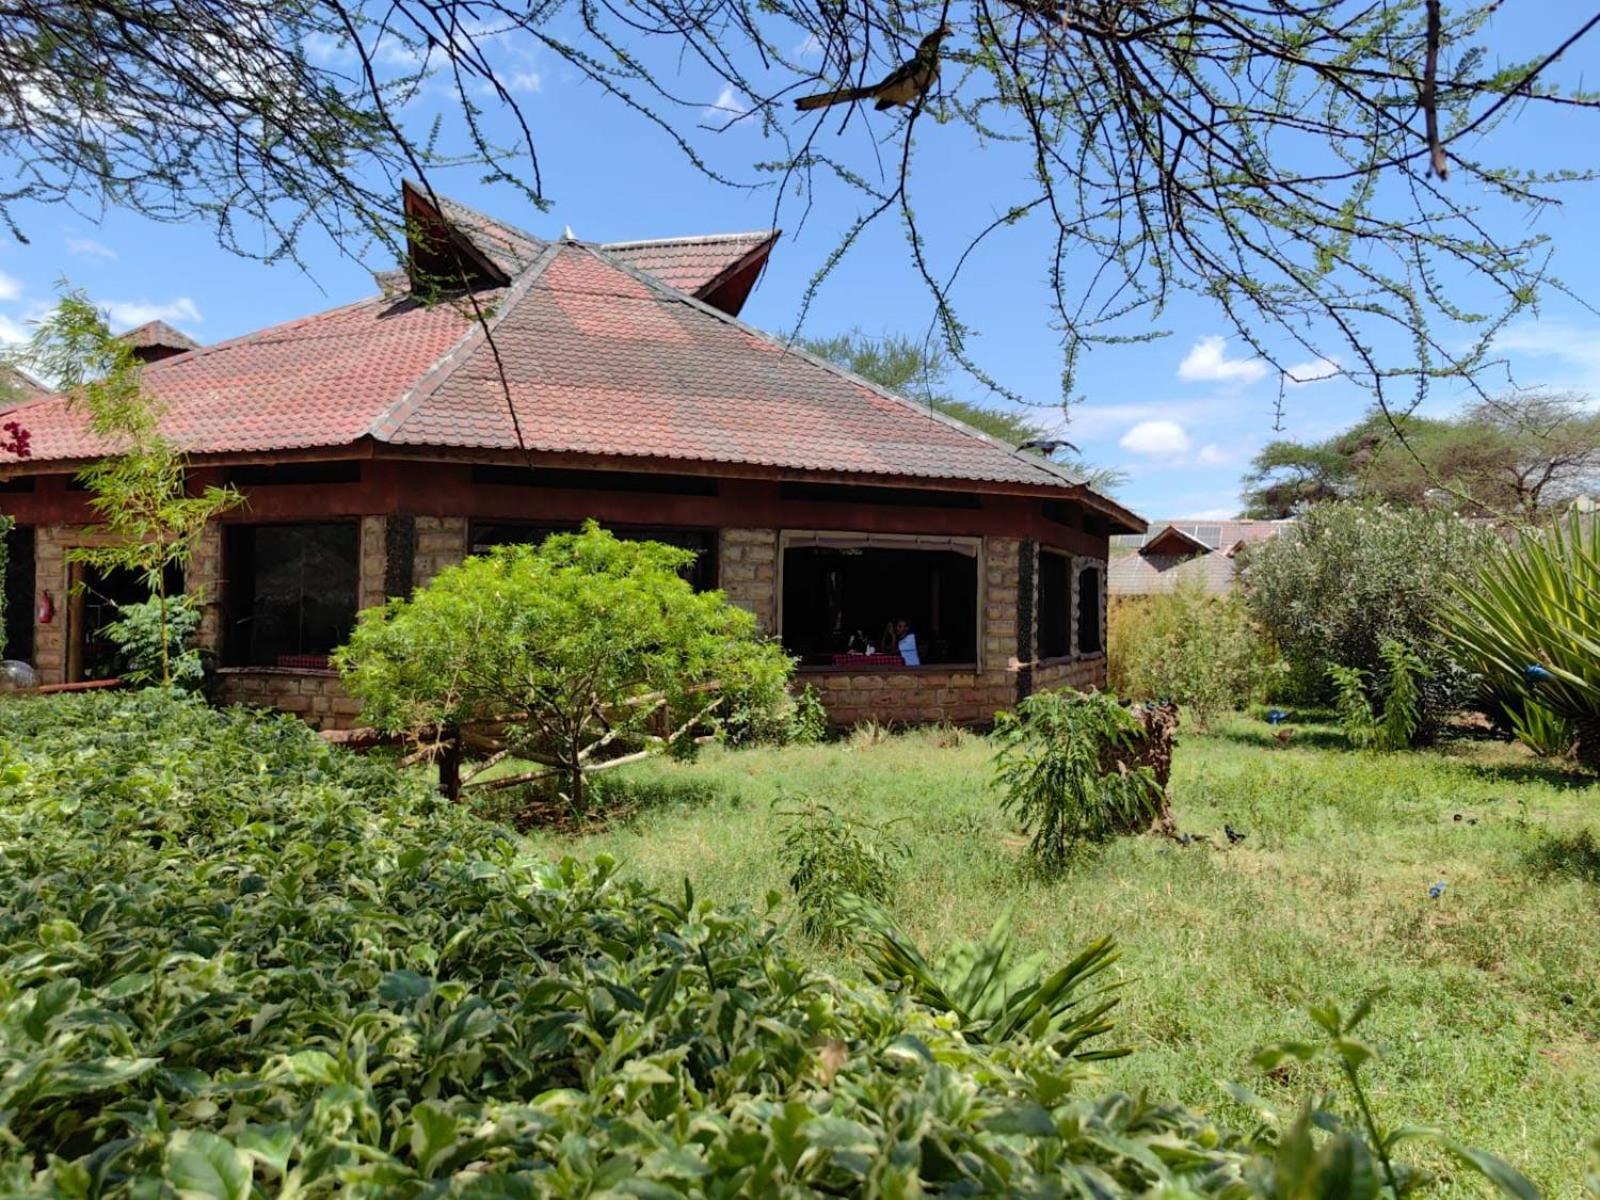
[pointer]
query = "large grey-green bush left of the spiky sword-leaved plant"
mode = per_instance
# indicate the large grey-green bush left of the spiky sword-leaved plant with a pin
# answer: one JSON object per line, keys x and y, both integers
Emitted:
{"x": 1346, "y": 578}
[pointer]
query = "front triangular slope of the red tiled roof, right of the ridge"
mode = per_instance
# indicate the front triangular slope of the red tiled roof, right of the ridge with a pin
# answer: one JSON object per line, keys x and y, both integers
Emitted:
{"x": 602, "y": 361}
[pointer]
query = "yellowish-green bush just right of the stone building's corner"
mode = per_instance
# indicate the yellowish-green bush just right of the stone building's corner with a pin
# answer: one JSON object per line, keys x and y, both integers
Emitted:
{"x": 1190, "y": 647}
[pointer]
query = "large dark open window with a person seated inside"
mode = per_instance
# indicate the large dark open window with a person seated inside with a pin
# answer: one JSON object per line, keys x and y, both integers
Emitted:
{"x": 841, "y": 598}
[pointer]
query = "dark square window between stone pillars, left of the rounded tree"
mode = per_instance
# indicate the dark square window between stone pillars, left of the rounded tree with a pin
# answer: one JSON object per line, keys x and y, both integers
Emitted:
{"x": 289, "y": 593}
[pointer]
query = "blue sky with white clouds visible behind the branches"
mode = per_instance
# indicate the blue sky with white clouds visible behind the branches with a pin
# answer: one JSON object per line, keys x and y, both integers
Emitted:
{"x": 1182, "y": 415}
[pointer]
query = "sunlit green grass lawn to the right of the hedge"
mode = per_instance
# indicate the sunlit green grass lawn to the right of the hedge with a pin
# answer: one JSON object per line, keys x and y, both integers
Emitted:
{"x": 1492, "y": 1026}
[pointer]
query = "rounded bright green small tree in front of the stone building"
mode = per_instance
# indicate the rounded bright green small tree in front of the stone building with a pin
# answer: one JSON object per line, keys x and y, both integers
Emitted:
{"x": 578, "y": 655}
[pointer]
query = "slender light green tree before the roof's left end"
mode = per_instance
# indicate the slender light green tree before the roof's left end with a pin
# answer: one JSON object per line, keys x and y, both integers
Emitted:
{"x": 138, "y": 489}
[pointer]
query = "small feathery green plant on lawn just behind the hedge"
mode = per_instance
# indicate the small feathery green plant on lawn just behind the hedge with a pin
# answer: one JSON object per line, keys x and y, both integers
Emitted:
{"x": 834, "y": 860}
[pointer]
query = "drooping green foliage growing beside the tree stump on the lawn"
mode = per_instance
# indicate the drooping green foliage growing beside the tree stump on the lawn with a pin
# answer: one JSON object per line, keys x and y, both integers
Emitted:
{"x": 1057, "y": 774}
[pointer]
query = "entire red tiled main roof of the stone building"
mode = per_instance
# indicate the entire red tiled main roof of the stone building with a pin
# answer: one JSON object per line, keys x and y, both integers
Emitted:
{"x": 601, "y": 361}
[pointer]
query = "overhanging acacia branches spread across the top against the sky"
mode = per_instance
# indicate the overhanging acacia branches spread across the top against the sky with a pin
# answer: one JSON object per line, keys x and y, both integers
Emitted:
{"x": 1310, "y": 167}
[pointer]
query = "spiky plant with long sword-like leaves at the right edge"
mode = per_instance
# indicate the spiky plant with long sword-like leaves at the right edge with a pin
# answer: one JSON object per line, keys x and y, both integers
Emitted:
{"x": 1529, "y": 622}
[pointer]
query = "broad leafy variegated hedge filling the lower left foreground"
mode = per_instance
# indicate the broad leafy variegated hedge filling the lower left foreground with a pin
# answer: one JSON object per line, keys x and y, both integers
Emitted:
{"x": 239, "y": 964}
